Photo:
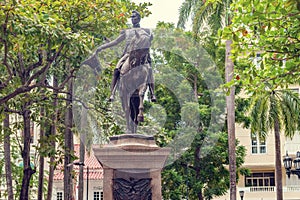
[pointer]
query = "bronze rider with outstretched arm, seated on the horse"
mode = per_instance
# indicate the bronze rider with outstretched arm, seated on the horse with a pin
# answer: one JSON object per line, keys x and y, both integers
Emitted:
{"x": 128, "y": 35}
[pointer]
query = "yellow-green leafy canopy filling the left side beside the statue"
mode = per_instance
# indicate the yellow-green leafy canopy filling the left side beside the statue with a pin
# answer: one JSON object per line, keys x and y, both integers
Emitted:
{"x": 40, "y": 40}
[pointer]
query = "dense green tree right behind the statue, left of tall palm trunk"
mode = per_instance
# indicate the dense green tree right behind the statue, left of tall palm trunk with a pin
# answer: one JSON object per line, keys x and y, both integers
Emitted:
{"x": 187, "y": 69}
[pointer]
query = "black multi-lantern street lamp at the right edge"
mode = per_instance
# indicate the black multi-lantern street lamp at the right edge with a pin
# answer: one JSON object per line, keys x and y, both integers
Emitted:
{"x": 287, "y": 161}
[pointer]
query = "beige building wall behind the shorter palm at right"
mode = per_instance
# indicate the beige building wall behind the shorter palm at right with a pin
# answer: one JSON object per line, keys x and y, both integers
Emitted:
{"x": 265, "y": 163}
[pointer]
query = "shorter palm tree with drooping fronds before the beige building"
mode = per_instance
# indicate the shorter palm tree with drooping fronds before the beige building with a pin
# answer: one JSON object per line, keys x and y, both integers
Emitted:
{"x": 276, "y": 110}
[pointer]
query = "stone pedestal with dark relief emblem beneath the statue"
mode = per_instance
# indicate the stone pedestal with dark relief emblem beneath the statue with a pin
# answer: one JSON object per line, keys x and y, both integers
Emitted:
{"x": 132, "y": 167}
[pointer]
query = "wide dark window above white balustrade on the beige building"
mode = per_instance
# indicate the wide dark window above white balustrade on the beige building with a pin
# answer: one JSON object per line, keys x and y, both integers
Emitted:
{"x": 260, "y": 179}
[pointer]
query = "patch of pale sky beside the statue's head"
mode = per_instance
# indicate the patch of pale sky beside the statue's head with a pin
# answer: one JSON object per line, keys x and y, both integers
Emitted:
{"x": 162, "y": 10}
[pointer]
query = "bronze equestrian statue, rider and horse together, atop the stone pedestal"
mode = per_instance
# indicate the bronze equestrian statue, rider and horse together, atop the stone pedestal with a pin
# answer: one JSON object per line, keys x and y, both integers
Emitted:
{"x": 133, "y": 71}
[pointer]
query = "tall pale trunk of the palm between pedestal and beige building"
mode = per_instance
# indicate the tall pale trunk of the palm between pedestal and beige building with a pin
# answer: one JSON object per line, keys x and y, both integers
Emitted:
{"x": 230, "y": 104}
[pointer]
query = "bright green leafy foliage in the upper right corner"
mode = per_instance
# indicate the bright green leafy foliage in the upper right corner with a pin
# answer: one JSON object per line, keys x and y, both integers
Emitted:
{"x": 270, "y": 29}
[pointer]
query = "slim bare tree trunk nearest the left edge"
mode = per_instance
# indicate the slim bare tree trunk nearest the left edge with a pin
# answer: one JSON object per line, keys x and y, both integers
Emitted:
{"x": 7, "y": 158}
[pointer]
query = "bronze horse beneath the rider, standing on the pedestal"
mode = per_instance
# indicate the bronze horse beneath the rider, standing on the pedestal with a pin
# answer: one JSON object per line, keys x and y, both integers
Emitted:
{"x": 134, "y": 80}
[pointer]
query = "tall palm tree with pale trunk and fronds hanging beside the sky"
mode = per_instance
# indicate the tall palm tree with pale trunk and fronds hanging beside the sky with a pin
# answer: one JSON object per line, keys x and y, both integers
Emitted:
{"x": 212, "y": 14}
